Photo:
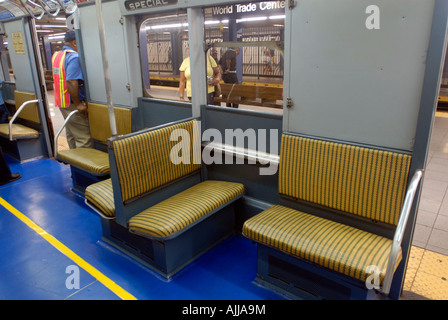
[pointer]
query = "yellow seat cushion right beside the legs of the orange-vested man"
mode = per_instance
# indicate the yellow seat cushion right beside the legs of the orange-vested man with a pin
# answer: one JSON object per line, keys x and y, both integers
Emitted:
{"x": 88, "y": 159}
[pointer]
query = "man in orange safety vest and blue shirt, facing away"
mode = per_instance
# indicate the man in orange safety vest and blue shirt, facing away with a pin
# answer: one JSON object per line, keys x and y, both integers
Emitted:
{"x": 69, "y": 92}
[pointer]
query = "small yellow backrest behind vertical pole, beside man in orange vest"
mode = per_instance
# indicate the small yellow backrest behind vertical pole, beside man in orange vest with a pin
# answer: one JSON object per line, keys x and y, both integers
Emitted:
{"x": 100, "y": 125}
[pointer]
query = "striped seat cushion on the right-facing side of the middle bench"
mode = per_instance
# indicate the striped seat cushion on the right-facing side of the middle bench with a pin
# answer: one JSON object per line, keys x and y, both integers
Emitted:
{"x": 185, "y": 208}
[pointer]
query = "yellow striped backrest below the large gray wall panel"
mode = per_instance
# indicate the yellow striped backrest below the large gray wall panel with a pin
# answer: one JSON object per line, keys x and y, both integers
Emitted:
{"x": 367, "y": 182}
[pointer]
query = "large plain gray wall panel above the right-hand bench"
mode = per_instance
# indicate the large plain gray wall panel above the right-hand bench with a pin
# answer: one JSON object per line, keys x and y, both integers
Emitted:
{"x": 351, "y": 83}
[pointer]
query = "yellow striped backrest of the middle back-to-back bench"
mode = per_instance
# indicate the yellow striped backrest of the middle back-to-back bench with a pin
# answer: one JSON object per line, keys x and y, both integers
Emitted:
{"x": 144, "y": 160}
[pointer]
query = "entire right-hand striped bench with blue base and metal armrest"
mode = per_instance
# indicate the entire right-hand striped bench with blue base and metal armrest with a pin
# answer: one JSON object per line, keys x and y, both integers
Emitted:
{"x": 340, "y": 221}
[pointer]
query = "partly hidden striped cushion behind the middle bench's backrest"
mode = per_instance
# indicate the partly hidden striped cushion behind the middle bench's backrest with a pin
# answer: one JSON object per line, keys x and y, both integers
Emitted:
{"x": 101, "y": 196}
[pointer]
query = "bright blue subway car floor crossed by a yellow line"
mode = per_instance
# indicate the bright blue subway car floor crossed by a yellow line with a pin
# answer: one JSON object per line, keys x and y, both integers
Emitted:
{"x": 31, "y": 268}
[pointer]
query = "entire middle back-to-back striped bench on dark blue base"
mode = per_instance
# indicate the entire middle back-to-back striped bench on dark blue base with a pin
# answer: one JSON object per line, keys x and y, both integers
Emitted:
{"x": 164, "y": 214}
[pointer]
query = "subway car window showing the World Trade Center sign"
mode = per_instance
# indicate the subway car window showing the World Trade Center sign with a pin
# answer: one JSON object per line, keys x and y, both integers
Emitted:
{"x": 251, "y": 63}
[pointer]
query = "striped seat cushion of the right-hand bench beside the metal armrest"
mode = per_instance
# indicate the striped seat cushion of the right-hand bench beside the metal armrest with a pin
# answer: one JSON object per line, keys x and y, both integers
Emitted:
{"x": 335, "y": 246}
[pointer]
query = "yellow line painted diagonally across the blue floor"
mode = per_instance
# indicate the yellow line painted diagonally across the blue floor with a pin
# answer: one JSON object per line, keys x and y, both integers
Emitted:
{"x": 120, "y": 292}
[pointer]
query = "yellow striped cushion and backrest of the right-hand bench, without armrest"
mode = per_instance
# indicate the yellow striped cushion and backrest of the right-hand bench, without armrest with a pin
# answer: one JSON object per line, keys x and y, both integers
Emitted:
{"x": 334, "y": 180}
